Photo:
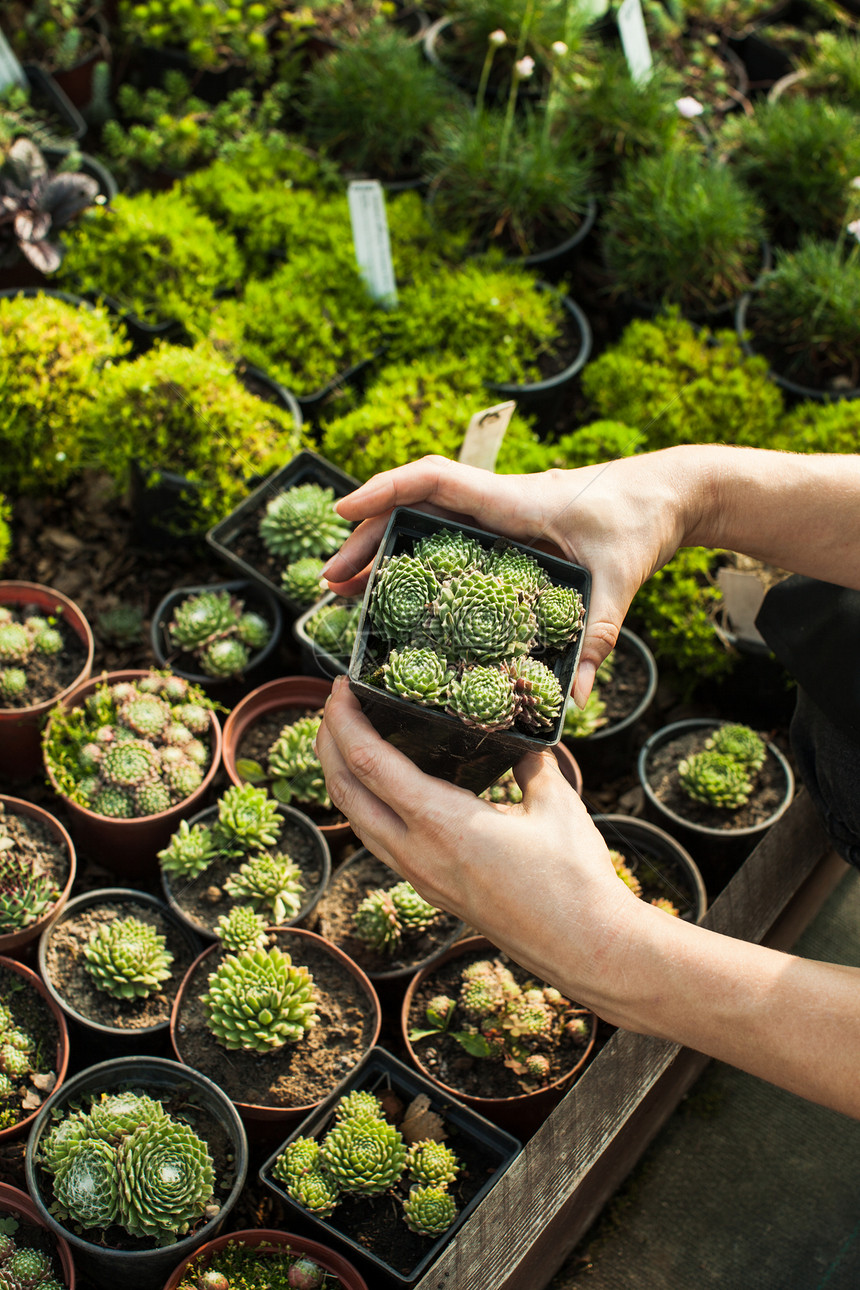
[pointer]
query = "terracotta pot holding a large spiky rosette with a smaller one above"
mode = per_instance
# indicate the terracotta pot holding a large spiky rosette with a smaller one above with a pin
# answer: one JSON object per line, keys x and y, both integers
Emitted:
{"x": 265, "y": 1120}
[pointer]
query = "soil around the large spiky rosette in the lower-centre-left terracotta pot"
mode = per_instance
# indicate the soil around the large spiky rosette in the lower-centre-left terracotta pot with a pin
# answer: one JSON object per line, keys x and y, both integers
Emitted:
{"x": 297, "y": 1075}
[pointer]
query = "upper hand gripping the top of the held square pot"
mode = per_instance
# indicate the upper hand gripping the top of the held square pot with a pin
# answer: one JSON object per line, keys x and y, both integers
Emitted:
{"x": 621, "y": 521}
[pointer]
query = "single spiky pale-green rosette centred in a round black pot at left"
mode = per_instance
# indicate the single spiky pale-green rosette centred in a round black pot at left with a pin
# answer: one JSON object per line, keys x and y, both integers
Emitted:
{"x": 128, "y": 959}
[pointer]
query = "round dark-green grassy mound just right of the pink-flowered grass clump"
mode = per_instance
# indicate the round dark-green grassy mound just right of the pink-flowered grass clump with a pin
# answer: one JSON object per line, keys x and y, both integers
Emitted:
{"x": 683, "y": 229}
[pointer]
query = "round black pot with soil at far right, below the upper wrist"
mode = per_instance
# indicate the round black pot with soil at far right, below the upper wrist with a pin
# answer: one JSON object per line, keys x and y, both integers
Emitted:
{"x": 716, "y": 844}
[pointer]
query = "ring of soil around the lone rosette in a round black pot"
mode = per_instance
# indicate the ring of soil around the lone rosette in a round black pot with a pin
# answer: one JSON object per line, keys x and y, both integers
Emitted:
{"x": 68, "y": 971}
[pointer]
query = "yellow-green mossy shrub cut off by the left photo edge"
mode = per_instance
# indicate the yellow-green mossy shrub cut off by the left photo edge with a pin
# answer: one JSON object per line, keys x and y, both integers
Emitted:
{"x": 54, "y": 362}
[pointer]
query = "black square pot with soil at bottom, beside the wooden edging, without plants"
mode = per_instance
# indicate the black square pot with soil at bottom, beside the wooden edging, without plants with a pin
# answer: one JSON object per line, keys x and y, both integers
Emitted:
{"x": 488, "y": 1149}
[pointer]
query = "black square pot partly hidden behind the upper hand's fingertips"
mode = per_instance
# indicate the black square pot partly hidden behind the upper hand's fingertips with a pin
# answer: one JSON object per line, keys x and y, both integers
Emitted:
{"x": 237, "y": 540}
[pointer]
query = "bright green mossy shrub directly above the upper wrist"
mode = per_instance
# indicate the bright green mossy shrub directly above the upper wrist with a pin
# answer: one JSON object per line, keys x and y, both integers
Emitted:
{"x": 681, "y": 386}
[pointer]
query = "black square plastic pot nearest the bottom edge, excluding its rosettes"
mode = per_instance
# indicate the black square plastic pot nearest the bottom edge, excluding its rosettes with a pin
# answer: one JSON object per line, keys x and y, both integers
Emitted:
{"x": 466, "y": 1128}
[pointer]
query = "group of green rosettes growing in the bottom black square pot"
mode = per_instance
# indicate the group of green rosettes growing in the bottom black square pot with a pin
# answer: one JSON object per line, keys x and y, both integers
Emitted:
{"x": 364, "y": 1154}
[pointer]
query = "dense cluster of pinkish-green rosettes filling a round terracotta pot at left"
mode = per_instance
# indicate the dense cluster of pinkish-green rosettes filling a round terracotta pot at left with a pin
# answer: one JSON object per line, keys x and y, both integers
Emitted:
{"x": 132, "y": 749}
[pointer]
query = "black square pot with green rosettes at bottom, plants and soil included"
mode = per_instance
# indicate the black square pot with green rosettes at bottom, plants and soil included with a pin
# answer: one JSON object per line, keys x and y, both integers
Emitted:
{"x": 396, "y": 1212}
